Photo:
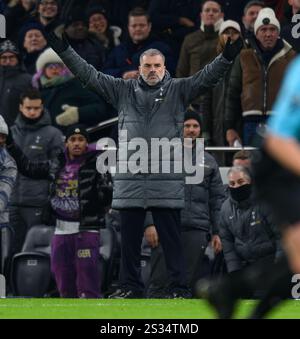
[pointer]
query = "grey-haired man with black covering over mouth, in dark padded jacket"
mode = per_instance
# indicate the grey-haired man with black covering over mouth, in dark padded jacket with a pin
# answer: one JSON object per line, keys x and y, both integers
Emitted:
{"x": 247, "y": 231}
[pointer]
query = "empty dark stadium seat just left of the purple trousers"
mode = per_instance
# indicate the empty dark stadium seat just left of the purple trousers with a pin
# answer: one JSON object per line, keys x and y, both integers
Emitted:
{"x": 30, "y": 269}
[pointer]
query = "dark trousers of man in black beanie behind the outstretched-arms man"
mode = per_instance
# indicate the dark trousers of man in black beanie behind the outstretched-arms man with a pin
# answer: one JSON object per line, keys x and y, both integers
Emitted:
{"x": 194, "y": 245}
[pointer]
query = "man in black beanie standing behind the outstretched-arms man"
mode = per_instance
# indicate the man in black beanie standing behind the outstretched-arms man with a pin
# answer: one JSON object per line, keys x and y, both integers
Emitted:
{"x": 199, "y": 219}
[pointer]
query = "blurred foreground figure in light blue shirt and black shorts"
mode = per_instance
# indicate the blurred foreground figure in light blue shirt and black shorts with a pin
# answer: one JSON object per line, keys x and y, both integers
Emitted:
{"x": 276, "y": 171}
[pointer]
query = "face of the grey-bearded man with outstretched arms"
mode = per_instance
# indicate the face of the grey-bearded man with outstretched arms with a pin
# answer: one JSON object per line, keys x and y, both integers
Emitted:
{"x": 152, "y": 69}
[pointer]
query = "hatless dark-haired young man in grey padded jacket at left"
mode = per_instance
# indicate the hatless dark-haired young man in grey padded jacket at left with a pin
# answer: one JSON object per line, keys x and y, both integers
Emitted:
{"x": 33, "y": 133}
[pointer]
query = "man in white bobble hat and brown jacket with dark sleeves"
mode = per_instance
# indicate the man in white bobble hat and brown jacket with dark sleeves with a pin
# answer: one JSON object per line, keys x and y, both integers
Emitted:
{"x": 255, "y": 80}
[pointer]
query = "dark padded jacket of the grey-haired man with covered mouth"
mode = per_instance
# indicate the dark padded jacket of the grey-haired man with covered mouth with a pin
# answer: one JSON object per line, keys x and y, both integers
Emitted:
{"x": 247, "y": 233}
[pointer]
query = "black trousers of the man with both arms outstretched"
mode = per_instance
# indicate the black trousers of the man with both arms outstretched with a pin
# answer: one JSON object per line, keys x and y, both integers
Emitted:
{"x": 167, "y": 223}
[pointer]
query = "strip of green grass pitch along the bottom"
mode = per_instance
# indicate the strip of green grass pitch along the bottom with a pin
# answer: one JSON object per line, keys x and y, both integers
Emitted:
{"x": 127, "y": 309}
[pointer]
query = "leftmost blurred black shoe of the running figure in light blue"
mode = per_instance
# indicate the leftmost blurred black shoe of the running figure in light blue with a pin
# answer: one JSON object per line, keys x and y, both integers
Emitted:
{"x": 219, "y": 295}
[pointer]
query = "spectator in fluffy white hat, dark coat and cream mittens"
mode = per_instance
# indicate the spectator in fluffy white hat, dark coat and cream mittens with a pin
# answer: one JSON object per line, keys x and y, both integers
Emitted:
{"x": 64, "y": 97}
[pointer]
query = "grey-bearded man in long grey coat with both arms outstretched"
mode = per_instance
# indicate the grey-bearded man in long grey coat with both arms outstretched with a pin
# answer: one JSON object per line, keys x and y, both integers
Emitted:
{"x": 150, "y": 107}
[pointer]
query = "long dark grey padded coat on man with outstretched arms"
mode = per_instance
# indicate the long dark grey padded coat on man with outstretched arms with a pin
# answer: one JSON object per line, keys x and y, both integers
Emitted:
{"x": 147, "y": 112}
